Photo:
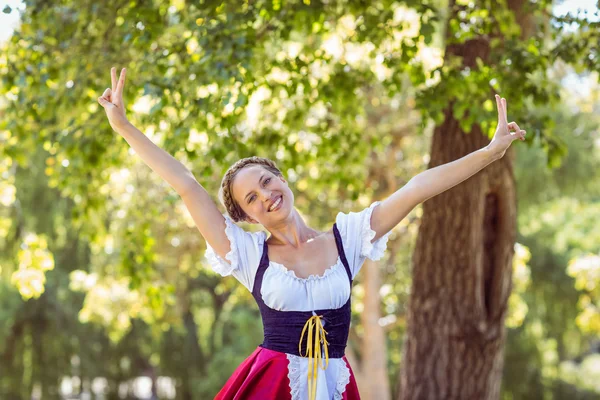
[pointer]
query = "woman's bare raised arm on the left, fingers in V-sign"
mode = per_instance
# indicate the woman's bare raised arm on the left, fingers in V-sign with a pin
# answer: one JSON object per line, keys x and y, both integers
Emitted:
{"x": 201, "y": 206}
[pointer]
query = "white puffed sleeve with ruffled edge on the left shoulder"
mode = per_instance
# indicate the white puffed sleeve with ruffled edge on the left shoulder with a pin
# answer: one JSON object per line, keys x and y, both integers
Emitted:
{"x": 244, "y": 256}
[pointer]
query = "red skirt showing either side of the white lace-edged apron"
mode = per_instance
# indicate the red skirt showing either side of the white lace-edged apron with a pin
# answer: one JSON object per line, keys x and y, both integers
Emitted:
{"x": 264, "y": 376}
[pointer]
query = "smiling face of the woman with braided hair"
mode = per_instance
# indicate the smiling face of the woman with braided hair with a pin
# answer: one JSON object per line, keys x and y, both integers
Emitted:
{"x": 256, "y": 189}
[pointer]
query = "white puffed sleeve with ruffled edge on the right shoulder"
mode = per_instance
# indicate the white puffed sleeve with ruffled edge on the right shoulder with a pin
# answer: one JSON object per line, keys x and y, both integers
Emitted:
{"x": 355, "y": 230}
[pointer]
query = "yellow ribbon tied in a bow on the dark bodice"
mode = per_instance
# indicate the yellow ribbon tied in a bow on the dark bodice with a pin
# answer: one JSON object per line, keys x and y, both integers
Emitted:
{"x": 315, "y": 358}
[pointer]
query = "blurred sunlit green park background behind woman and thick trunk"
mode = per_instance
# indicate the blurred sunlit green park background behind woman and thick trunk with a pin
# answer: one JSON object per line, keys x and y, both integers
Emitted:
{"x": 104, "y": 289}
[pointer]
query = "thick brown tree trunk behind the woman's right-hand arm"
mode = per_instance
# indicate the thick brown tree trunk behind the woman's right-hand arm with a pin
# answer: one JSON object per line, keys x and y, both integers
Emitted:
{"x": 462, "y": 269}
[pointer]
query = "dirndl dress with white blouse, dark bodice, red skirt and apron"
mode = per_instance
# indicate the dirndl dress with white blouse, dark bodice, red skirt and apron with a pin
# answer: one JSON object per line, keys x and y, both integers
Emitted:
{"x": 306, "y": 321}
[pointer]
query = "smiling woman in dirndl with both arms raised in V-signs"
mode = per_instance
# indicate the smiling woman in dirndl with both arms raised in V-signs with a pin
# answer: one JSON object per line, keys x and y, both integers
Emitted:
{"x": 301, "y": 278}
